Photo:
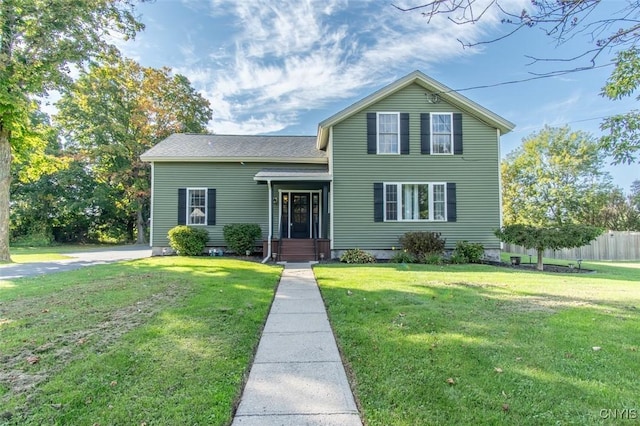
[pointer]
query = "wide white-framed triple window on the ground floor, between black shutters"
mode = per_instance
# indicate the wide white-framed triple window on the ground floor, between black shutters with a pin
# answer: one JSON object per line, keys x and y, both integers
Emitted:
{"x": 415, "y": 201}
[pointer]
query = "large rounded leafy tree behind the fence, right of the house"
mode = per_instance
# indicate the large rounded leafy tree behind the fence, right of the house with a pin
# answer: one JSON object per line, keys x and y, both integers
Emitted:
{"x": 552, "y": 178}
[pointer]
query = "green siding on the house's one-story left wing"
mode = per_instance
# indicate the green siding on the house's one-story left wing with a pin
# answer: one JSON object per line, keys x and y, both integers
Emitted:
{"x": 239, "y": 199}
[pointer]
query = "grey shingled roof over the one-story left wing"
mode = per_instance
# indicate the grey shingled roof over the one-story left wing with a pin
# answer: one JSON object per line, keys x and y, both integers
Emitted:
{"x": 230, "y": 148}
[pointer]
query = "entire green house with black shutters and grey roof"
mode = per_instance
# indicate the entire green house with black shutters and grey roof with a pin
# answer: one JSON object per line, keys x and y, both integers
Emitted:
{"x": 413, "y": 156}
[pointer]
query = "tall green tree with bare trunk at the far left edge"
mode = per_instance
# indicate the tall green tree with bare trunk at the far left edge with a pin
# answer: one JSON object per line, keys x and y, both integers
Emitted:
{"x": 39, "y": 42}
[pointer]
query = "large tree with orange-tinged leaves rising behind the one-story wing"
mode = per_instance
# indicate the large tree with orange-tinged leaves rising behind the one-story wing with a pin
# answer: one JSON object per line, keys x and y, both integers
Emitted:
{"x": 115, "y": 112}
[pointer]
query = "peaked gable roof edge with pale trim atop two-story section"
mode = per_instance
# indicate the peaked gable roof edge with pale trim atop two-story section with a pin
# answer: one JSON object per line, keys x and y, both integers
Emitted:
{"x": 443, "y": 92}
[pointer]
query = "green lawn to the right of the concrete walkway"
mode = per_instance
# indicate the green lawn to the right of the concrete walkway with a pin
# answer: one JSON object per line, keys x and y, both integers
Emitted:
{"x": 517, "y": 345}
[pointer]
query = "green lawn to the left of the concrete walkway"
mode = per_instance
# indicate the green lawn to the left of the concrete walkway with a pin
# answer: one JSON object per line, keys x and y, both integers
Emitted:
{"x": 164, "y": 340}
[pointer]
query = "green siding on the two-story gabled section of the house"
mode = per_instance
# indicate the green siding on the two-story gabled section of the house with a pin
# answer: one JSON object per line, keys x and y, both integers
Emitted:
{"x": 475, "y": 172}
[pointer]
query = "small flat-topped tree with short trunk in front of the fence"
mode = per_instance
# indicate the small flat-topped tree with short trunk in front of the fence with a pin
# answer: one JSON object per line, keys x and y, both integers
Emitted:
{"x": 540, "y": 239}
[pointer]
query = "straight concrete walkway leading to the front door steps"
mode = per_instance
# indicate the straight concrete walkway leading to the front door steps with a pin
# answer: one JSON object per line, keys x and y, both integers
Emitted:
{"x": 297, "y": 377}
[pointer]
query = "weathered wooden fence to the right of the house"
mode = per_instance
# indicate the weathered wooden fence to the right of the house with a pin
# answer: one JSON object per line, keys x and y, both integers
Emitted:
{"x": 612, "y": 245}
